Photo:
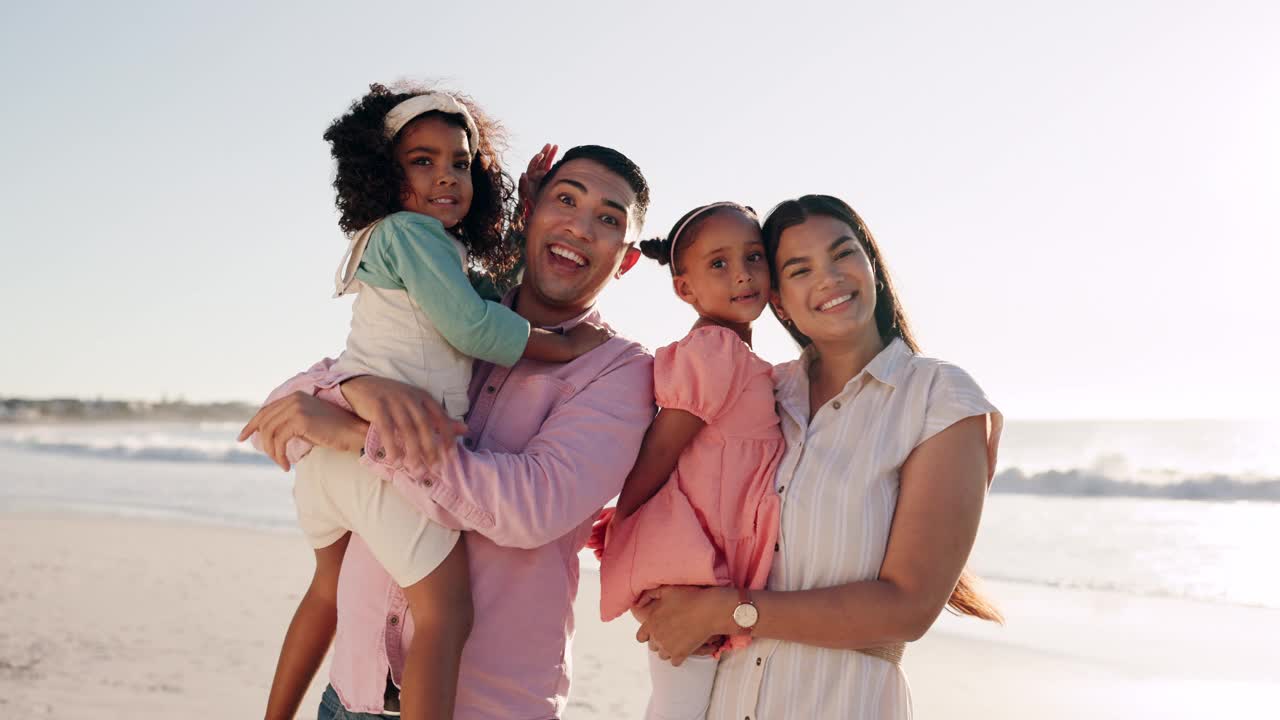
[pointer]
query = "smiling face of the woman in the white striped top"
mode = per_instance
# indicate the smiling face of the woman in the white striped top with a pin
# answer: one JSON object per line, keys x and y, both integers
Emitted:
{"x": 826, "y": 281}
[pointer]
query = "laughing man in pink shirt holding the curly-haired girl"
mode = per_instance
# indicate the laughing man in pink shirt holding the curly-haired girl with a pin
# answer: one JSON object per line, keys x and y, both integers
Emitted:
{"x": 545, "y": 448}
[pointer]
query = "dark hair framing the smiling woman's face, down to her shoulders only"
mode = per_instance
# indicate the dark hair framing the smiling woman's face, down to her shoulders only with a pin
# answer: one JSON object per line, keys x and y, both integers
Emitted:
{"x": 890, "y": 320}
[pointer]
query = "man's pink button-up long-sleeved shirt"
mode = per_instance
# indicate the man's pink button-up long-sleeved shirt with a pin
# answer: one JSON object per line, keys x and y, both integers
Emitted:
{"x": 547, "y": 446}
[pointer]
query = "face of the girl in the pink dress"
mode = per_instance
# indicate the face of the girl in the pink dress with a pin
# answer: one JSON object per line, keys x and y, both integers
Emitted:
{"x": 725, "y": 275}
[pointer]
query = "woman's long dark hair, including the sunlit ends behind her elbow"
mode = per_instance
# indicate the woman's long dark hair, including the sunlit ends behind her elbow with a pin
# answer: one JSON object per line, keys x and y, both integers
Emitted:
{"x": 890, "y": 322}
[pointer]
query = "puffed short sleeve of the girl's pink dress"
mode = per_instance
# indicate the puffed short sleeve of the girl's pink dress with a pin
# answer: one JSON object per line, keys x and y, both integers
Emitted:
{"x": 703, "y": 375}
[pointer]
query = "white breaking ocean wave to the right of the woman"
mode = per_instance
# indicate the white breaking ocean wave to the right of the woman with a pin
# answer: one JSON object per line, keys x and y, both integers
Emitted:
{"x": 1091, "y": 484}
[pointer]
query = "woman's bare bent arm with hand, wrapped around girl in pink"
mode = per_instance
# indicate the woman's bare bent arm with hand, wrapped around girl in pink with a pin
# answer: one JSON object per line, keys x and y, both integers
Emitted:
{"x": 944, "y": 485}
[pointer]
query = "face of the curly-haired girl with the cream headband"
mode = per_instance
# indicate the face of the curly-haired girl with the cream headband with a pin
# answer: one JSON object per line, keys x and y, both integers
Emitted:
{"x": 437, "y": 162}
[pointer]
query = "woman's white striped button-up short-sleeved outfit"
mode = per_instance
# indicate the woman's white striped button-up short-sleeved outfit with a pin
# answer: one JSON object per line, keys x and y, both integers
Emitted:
{"x": 839, "y": 485}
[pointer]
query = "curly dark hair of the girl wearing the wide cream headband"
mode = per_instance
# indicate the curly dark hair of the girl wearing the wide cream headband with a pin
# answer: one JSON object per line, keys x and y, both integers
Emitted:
{"x": 369, "y": 180}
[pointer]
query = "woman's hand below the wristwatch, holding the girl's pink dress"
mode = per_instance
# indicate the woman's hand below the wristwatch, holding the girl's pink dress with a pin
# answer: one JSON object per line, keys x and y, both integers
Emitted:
{"x": 683, "y": 621}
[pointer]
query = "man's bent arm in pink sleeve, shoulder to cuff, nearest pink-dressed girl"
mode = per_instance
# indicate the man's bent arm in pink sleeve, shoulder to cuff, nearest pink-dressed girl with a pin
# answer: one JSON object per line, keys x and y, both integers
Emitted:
{"x": 569, "y": 471}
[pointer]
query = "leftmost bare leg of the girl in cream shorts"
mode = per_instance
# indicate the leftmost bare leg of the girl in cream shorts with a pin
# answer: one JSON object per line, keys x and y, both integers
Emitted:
{"x": 310, "y": 635}
